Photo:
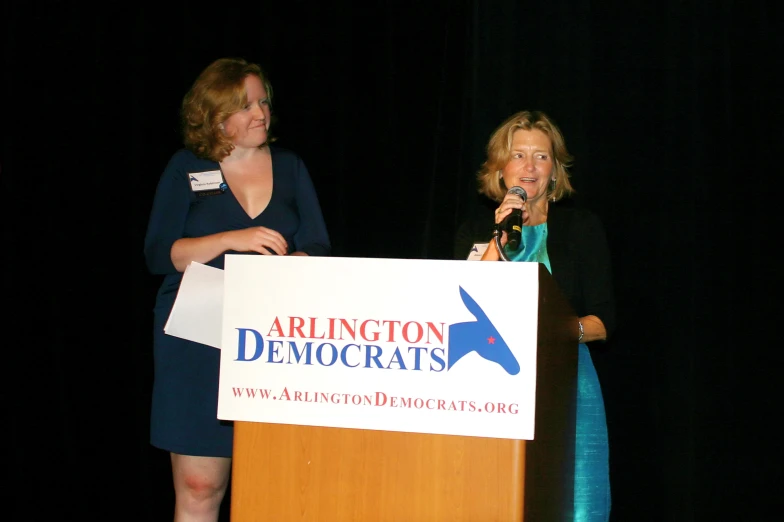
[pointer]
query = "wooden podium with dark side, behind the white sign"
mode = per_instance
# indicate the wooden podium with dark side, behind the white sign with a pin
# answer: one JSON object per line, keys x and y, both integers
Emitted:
{"x": 285, "y": 473}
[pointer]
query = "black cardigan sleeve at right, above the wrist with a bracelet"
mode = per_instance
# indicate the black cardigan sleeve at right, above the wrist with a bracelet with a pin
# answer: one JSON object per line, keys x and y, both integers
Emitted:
{"x": 595, "y": 271}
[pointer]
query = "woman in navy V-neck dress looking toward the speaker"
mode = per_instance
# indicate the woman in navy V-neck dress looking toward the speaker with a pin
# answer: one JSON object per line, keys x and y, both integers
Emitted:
{"x": 228, "y": 191}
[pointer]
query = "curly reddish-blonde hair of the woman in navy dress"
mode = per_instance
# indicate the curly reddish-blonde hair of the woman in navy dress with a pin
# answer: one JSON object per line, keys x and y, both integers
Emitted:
{"x": 218, "y": 92}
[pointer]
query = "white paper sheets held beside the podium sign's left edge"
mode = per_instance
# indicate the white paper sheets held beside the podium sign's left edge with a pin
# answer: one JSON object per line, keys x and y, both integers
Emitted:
{"x": 197, "y": 314}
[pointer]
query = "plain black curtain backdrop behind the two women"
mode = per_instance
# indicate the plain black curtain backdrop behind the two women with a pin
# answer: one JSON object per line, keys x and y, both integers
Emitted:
{"x": 672, "y": 110}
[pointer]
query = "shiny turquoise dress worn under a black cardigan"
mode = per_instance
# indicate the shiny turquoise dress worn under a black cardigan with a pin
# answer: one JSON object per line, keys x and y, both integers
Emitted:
{"x": 592, "y": 452}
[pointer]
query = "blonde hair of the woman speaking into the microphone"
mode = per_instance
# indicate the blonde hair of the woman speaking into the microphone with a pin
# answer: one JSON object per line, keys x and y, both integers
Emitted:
{"x": 499, "y": 152}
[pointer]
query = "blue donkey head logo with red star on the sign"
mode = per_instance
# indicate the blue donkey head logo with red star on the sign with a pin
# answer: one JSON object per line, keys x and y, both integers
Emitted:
{"x": 479, "y": 336}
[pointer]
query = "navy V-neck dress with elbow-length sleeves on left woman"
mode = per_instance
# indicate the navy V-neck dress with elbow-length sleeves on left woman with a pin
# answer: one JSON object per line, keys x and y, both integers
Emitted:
{"x": 185, "y": 388}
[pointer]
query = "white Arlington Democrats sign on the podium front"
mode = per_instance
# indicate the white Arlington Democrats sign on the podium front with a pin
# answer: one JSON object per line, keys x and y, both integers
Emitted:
{"x": 420, "y": 346}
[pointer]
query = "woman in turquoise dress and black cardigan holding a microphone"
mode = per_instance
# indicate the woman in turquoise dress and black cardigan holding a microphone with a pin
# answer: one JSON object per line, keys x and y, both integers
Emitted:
{"x": 529, "y": 151}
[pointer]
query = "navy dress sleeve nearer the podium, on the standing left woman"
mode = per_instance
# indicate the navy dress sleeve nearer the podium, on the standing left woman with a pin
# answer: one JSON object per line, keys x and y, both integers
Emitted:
{"x": 311, "y": 236}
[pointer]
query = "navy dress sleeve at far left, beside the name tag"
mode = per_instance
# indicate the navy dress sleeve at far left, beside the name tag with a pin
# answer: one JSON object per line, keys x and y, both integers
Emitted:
{"x": 167, "y": 218}
